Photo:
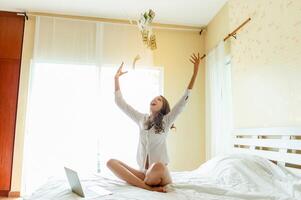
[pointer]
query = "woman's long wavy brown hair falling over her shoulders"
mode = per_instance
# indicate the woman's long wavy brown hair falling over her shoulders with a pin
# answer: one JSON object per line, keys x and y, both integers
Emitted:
{"x": 157, "y": 122}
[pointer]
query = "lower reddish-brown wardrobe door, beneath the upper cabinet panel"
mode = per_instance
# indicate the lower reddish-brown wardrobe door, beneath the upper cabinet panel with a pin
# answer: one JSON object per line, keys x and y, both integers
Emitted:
{"x": 9, "y": 79}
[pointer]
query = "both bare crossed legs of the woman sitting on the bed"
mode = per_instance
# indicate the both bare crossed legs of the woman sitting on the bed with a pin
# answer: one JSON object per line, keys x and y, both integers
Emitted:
{"x": 156, "y": 176}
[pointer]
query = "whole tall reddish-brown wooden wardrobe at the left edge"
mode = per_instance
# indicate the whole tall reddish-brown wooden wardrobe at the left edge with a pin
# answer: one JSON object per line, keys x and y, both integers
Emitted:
{"x": 11, "y": 39}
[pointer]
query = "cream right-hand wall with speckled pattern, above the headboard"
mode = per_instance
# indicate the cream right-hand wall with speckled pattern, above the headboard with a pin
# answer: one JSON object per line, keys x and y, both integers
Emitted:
{"x": 265, "y": 60}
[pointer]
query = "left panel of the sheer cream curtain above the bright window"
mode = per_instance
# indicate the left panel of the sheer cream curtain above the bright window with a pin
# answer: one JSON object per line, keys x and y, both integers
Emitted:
{"x": 59, "y": 40}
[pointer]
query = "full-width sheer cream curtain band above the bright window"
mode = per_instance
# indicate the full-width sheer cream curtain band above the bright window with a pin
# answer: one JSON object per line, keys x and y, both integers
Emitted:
{"x": 60, "y": 40}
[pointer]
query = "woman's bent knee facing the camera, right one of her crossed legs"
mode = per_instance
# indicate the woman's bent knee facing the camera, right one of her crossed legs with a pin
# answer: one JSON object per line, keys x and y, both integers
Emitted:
{"x": 157, "y": 174}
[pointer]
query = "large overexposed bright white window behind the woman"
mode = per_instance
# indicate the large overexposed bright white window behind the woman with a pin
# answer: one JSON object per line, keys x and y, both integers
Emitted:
{"x": 73, "y": 120}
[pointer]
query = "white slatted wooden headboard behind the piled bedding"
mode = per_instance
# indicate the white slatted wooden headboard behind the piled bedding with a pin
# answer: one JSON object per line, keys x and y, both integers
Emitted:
{"x": 280, "y": 145}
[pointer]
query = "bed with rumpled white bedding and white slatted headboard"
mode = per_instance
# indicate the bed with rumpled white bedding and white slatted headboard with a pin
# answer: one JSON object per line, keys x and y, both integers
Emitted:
{"x": 265, "y": 165}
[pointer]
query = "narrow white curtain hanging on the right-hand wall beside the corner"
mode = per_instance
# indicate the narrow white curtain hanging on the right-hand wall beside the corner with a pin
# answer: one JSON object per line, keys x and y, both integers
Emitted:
{"x": 218, "y": 103}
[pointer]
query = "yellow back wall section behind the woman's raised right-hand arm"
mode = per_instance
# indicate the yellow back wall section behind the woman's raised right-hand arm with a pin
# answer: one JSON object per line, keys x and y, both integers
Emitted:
{"x": 187, "y": 144}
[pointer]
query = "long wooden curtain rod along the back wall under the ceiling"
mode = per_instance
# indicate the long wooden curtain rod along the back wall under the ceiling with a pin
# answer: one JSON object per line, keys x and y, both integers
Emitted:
{"x": 117, "y": 21}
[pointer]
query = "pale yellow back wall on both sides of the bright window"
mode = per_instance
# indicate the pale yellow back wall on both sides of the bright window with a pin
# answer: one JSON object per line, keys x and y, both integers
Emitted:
{"x": 186, "y": 145}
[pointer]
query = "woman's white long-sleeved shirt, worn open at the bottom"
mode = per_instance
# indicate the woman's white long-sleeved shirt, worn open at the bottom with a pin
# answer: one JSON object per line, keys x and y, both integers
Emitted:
{"x": 151, "y": 143}
